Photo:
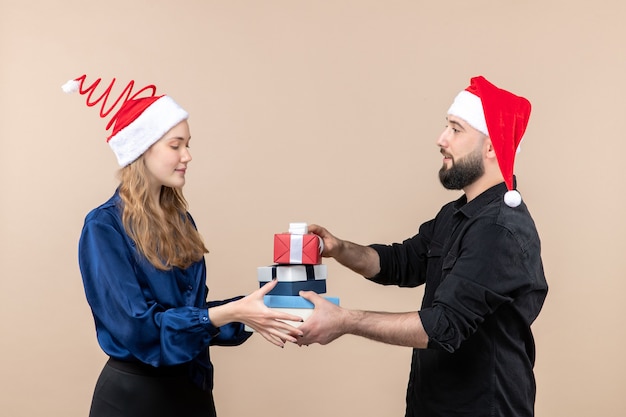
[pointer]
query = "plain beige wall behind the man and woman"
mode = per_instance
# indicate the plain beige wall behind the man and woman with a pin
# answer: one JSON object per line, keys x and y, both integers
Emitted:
{"x": 318, "y": 111}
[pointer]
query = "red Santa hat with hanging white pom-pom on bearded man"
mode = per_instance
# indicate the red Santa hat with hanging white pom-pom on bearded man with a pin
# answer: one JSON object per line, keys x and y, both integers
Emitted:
{"x": 503, "y": 117}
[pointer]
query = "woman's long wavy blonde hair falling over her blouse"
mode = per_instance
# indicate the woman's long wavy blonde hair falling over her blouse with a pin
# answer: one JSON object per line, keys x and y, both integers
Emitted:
{"x": 167, "y": 240}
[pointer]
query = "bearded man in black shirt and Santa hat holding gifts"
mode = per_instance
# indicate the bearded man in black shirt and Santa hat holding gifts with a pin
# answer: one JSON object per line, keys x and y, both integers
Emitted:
{"x": 480, "y": 261}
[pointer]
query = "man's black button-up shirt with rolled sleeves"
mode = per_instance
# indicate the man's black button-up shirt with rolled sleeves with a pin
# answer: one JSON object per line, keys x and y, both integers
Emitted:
{"x": 485, "y": 285}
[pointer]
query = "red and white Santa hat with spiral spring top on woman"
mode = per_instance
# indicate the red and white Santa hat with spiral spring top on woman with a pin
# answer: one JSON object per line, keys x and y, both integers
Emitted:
{"x": 139, "y": 122}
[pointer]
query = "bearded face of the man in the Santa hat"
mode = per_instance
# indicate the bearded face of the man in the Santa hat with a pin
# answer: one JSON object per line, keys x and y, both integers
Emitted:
{"x": 462, "y": 148}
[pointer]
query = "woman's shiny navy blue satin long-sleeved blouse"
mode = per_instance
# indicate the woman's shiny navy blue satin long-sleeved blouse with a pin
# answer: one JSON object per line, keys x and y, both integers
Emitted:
{"x": 144, "y": 314}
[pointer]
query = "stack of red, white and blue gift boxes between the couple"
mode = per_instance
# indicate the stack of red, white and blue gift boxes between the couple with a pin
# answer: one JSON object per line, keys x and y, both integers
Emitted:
{"x": 297, "y": 267}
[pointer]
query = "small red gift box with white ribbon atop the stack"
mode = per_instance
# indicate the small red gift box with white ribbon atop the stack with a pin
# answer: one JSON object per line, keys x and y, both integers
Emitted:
{"x": 302, "y": 249}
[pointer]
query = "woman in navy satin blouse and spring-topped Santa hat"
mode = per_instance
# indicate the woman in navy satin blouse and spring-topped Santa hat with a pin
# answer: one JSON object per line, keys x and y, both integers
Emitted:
{"x": 143, "y": 268}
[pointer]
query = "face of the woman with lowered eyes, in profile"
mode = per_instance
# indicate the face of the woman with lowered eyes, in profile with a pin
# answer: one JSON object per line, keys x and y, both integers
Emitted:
{"x": 166, "y": 160}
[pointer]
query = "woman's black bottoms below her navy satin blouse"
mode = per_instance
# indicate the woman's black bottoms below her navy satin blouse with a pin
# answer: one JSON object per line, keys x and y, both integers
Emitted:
{"x": 135, "y": 390}
